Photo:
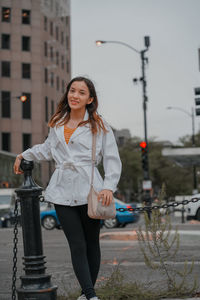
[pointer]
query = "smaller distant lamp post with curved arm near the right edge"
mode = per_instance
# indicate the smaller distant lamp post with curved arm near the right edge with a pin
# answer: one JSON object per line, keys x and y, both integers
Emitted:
{"x": 191, "y": 115}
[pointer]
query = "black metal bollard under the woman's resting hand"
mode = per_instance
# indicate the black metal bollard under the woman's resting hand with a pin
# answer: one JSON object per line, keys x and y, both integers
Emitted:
{"x": 35, "y": 284}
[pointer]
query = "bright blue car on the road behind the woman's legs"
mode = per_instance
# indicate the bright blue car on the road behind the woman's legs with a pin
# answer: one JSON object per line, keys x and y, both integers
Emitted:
{"x": 49, "y": 219}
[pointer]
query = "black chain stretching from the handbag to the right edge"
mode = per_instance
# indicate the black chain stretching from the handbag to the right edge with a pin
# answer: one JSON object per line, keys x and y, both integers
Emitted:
{"x": 150, "y": 208}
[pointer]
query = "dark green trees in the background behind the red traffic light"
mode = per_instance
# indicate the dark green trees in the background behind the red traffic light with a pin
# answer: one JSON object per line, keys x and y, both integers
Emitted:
{"x": 178, "y": 180}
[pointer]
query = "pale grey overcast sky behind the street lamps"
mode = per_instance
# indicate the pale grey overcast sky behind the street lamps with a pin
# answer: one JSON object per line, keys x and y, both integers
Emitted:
{"x": 172, "y": 73}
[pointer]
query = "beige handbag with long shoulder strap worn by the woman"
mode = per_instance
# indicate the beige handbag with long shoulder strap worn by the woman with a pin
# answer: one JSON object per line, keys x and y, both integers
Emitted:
{"x": 95, "y": 208}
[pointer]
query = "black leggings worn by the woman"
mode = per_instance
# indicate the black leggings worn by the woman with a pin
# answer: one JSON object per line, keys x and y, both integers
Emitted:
{"x": 82, "y": 234}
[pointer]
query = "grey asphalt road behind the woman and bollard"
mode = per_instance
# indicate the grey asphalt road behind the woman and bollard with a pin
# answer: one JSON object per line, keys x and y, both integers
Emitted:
{"x": 125, "y": 253}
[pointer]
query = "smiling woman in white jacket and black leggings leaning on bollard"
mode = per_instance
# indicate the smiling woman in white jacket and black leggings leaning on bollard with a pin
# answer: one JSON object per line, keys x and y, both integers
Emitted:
{"x": 69, "y": 143}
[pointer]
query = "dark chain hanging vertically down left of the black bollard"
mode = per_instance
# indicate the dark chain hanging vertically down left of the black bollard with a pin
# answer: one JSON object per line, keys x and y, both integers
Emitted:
{"x": 15, "y": 241}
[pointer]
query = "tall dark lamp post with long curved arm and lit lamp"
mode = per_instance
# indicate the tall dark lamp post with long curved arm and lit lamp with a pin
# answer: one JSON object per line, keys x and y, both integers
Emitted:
{"x": 142, "y": 79}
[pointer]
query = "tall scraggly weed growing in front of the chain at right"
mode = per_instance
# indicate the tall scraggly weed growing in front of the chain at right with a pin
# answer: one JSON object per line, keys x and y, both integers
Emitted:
{"x": 159, "y": 246}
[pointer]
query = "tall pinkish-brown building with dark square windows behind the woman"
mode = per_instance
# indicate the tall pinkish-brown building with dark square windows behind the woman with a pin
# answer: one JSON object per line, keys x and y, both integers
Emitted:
{"x": 35, "y": 62}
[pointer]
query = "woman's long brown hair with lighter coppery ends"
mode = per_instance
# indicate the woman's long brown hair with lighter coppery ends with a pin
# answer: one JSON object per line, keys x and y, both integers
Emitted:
{"x": 63, "y": 108}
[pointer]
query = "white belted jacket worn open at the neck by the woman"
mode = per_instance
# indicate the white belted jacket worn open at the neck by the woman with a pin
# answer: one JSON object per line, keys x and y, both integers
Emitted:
{"x": 70, "y": 182}
